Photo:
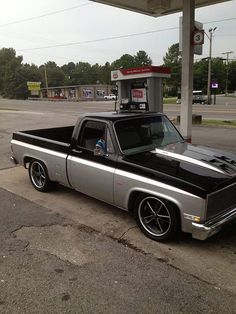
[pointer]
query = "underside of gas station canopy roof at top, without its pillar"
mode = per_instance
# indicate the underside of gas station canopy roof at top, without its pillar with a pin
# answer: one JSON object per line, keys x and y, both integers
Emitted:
{"x": 156, "y": 7}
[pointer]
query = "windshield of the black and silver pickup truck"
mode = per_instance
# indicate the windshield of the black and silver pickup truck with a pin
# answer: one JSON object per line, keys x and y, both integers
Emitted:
{"x": 142, "y": 134}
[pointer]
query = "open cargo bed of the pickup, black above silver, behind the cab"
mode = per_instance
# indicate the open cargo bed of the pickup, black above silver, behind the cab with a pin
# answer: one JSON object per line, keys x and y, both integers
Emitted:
{"x": 51, "y": 146}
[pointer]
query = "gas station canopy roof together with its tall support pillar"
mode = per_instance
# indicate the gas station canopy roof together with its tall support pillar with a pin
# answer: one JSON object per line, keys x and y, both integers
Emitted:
{"x": 157, "y": 8}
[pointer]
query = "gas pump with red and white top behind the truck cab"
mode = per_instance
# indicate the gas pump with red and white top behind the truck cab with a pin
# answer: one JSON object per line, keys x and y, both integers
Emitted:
{"x": 140, "y": 88}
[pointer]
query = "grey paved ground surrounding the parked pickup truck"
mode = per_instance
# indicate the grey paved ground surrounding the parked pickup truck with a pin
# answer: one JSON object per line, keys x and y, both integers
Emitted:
{"x": 63, "y": 252}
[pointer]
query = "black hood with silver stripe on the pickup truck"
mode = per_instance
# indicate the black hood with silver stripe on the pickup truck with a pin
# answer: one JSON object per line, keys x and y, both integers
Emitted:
{"x": 203, "y": 167}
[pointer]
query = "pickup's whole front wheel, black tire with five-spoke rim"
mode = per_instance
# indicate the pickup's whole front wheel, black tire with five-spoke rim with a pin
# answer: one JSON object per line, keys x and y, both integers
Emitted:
{"x": 158, "y": 220}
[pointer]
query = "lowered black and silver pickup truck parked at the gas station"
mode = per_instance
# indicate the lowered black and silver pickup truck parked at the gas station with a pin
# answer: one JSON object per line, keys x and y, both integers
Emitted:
{"x": 144, "y": 166}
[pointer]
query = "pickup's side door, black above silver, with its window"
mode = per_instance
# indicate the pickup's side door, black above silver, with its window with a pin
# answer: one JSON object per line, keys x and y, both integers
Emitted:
{"x": 90, "y": 173}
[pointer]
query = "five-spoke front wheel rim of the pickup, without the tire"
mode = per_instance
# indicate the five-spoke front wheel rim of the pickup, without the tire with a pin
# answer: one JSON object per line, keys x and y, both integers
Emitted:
{"x": 154, "y": 216}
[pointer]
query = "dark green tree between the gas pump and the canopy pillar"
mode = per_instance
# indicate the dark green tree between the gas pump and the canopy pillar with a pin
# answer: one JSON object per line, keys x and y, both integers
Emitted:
{"x": 173, "y": 60}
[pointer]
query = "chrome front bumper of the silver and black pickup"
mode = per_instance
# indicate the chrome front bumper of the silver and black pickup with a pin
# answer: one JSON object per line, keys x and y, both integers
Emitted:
{"x": 204, "y": 231}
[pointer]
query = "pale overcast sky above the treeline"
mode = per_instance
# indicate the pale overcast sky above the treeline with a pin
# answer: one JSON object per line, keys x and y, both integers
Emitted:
{"x": 28, "y": 24}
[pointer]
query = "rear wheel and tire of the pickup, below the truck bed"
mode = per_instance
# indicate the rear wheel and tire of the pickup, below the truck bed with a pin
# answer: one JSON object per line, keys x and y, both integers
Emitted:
{"x": 39, "y": 176}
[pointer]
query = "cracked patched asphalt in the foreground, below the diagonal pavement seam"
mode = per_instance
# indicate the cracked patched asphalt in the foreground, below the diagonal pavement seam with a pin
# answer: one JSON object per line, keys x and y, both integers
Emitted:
{"x": 48, "y": 264}
